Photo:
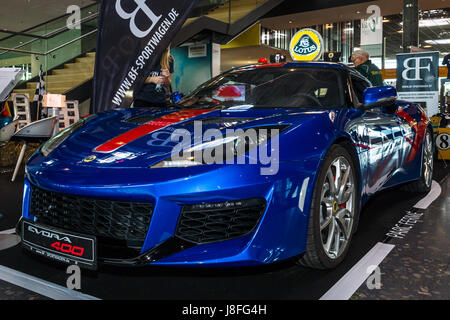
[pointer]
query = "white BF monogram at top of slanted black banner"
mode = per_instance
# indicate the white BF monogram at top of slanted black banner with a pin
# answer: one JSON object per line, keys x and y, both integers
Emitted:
{"x": 143, "y": 8}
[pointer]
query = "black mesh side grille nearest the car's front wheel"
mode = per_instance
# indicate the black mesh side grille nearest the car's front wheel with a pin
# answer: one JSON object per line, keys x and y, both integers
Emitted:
{"x": 212, "y": 222}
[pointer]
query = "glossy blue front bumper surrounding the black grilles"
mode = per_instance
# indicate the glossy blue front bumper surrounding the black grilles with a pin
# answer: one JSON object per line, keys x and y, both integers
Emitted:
{"x": 280, "y": 233}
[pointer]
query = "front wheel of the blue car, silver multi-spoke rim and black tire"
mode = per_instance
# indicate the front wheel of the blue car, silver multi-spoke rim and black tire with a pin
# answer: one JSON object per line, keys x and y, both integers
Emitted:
{"x": 322, "y": 251}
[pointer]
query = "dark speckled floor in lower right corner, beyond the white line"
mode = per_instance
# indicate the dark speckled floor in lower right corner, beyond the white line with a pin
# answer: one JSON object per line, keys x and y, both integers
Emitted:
{"x": 418, "y": 267}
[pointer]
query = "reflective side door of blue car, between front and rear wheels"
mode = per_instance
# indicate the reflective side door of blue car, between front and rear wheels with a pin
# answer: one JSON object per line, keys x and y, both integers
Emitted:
{"x": 384, "y": 138}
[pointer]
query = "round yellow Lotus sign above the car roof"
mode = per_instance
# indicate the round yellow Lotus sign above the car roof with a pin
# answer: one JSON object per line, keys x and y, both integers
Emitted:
{"x": 306, "y": 45}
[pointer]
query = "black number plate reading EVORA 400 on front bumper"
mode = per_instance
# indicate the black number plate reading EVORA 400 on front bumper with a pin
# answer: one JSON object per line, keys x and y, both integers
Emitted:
{"x": 67, "y": 247}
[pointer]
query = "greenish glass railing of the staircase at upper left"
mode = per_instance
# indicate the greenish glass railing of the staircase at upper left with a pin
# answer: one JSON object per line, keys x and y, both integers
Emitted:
{"x": 50, "y": 44}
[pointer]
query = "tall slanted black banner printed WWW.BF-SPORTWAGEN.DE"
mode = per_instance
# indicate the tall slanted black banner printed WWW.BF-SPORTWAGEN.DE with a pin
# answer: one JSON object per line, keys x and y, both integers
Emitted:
{"x": 132, "y": 36}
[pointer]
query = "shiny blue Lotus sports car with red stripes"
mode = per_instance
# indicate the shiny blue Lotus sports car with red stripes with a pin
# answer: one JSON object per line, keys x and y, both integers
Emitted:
{"x": 260, "y": 164}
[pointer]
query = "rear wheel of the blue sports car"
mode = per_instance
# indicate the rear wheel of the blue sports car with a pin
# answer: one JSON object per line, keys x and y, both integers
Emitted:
{"x": 423, "y": 185}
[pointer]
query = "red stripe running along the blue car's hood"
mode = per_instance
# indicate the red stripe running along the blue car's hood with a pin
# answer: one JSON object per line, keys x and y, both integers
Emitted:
{"x": 149, "y": 127}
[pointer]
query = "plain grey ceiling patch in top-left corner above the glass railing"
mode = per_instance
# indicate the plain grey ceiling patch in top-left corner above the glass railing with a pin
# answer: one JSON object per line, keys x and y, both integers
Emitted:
{"x": 19, "y": 15}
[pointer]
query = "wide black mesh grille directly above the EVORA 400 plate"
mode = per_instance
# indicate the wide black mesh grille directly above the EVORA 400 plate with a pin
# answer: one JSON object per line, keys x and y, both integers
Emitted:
{"x": 121, "y": 221}
